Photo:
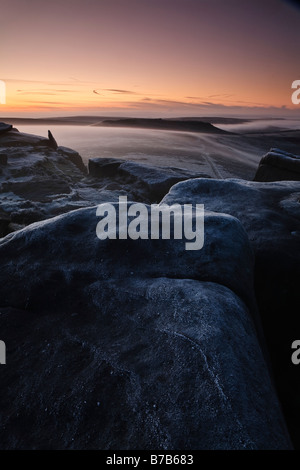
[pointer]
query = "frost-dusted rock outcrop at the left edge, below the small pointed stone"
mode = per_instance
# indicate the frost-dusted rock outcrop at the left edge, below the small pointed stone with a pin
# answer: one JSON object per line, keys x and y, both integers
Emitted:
{"x": 36, "y": 181}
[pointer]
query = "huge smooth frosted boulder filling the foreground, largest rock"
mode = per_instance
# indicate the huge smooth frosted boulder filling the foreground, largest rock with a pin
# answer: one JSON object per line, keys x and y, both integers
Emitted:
{"x": 132, "y": 344}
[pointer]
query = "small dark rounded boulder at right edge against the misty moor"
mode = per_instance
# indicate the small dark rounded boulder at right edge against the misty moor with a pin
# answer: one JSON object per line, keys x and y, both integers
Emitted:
{"x": 277, "y": 165}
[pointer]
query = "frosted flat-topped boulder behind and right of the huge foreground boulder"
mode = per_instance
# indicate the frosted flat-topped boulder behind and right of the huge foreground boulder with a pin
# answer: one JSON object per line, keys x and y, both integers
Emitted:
{"x": 270, "y": 214}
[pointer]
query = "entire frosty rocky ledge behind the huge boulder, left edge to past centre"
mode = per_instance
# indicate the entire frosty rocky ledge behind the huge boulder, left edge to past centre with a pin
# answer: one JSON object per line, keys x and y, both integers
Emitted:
{"x": 39, "y": 179}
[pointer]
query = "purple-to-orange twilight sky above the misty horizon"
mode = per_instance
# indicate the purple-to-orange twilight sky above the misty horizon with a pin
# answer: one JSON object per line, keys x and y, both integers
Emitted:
{"x": 149, "y": 57}
